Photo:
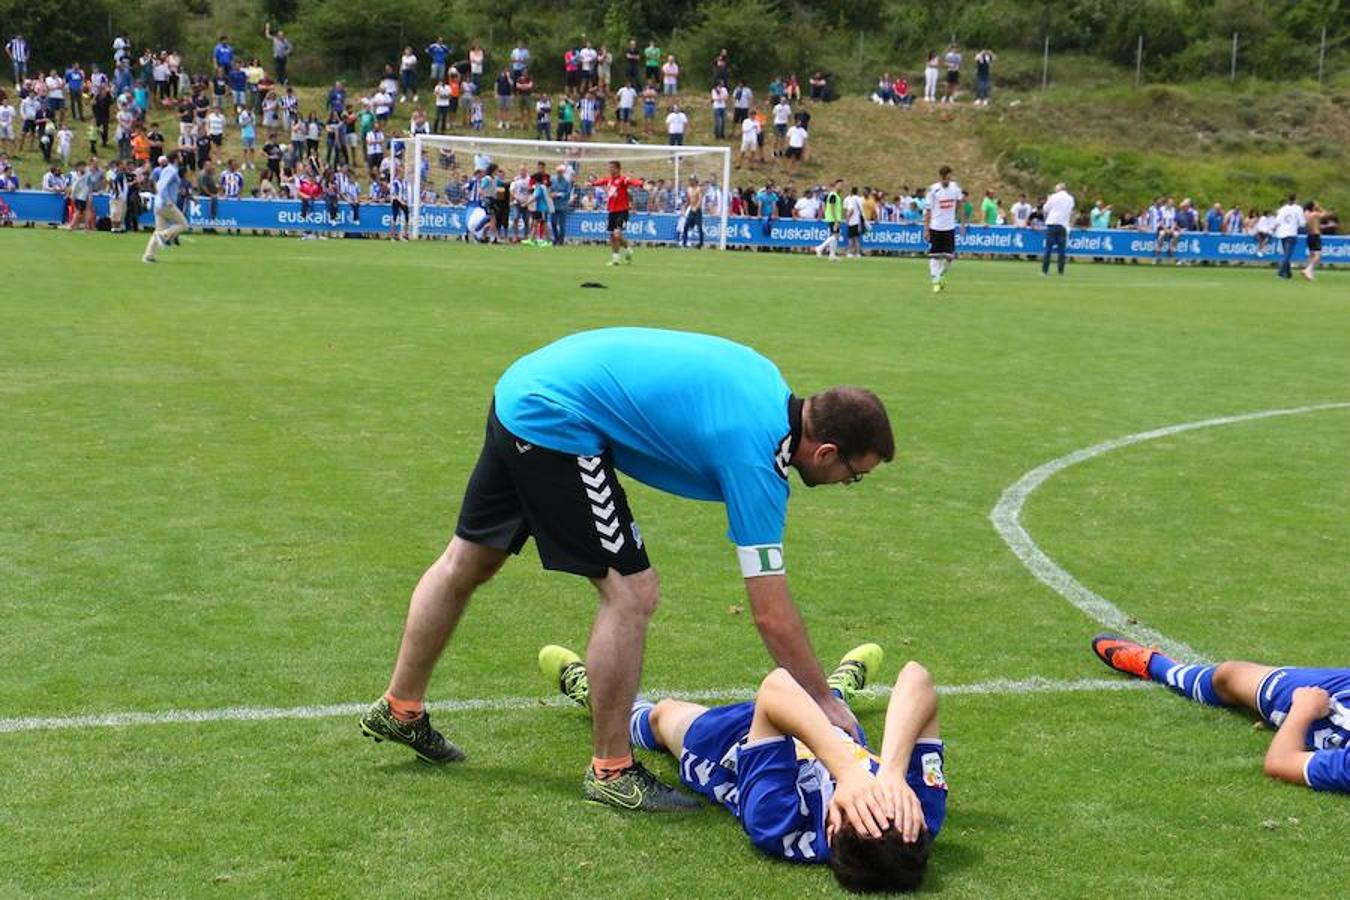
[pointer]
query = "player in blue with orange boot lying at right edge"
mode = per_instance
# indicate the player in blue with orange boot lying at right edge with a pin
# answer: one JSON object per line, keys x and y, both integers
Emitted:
{"x": 1310, "y": 708}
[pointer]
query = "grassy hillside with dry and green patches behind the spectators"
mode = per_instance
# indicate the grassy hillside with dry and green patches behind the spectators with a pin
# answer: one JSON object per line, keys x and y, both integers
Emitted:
{"x": 1212, "y": 141}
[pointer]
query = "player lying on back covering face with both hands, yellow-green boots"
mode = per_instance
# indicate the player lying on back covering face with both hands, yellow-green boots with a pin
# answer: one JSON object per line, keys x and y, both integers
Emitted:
{"x": 801, "y": 787}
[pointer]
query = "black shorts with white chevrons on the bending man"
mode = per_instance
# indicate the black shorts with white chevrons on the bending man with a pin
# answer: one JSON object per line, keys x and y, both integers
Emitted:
{"x": 574, "y": 507}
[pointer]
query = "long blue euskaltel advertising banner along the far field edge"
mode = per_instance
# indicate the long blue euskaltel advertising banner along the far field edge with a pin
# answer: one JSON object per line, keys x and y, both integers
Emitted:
{"x": 589, "y": 226}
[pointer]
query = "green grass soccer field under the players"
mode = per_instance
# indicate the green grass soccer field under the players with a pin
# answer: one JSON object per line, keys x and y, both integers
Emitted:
{"x": 226, "y": 473}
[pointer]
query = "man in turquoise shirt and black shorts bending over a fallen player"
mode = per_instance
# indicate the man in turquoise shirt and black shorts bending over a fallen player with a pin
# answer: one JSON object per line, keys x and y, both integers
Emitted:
{"x": 691, "y": 415}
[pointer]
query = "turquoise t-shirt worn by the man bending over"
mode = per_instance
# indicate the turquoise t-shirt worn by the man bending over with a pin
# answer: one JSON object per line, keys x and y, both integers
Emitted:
{"x": 692, "y": 415}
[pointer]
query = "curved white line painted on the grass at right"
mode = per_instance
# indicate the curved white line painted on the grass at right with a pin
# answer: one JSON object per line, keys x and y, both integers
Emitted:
{"x": 1008, "y": 522}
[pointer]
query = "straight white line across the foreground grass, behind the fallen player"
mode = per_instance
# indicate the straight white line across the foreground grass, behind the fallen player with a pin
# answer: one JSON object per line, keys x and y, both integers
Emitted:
{"x": 335, "y": 710}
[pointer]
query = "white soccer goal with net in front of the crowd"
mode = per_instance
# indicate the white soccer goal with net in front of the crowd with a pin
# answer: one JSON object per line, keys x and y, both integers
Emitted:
{"x": 450, "y": 159}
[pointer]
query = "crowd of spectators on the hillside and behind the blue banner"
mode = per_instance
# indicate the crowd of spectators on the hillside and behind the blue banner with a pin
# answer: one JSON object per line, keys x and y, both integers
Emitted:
{"x": 350, "y": 150}
